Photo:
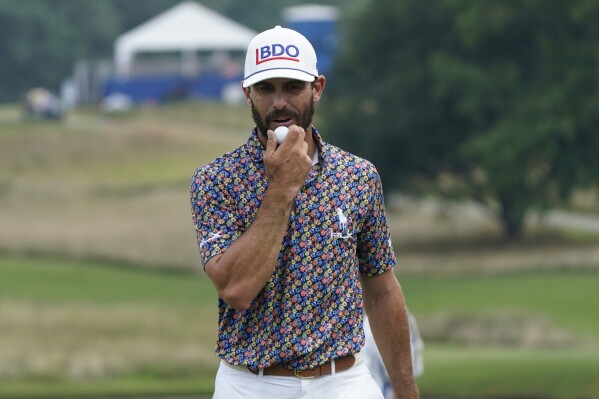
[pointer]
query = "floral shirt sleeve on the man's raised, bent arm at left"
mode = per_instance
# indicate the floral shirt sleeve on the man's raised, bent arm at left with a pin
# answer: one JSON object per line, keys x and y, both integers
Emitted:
{"x": 215, "y": 218}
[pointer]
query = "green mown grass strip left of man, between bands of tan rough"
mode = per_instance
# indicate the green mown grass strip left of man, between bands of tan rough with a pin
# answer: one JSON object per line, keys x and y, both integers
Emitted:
{"x": 65, "y": 281}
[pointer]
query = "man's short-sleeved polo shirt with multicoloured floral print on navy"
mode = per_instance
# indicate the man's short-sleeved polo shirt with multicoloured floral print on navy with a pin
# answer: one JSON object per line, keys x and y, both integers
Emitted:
{"x": 310, "y": 310}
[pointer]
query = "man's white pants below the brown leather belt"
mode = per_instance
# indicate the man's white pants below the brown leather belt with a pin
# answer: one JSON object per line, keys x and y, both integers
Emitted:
{"x": 354, "y": 383}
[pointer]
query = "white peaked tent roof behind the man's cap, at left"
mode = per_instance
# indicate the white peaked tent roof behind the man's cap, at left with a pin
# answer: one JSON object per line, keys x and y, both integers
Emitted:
{"x": 187, "y": 27}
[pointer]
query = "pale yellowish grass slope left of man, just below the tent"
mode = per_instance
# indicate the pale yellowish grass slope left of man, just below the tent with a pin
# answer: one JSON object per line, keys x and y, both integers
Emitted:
{"x": 150, "y": 146}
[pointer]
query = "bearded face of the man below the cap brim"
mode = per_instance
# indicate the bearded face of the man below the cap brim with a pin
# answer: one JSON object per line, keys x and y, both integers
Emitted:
{"x": 281, "y": 102}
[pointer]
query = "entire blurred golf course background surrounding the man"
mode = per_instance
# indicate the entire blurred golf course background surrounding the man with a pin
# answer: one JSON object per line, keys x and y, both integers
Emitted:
{"x": 481, "y": 117}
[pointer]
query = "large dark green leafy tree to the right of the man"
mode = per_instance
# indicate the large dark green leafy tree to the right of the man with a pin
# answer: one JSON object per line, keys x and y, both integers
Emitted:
{"x": 501, "y": 96}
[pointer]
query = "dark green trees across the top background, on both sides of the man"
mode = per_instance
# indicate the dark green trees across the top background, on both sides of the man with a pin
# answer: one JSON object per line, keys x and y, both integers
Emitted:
{"x": 491, "y": 100}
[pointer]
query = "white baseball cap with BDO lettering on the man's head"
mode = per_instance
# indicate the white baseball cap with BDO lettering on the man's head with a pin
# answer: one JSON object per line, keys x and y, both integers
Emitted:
{"x": 279, "y": 53}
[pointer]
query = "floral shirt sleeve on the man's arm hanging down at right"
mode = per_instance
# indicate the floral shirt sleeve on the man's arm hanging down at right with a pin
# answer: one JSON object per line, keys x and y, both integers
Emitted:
{"x": 375, "y": 251}
